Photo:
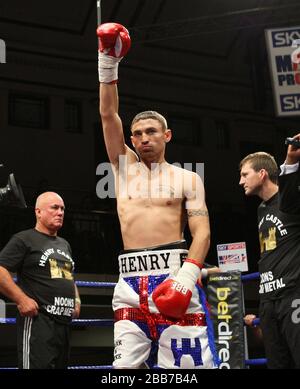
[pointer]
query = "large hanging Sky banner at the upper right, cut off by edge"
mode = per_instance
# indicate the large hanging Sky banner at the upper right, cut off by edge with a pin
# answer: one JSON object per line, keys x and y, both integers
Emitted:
{"x": 283, "y": 45}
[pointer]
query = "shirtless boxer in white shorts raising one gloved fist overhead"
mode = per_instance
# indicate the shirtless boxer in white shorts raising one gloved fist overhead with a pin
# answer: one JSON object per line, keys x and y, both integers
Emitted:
{"x": 160, "y": 314}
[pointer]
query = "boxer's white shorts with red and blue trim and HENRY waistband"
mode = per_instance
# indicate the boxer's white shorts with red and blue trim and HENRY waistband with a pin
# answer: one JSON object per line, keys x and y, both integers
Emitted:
{"x": 145, "y": 337}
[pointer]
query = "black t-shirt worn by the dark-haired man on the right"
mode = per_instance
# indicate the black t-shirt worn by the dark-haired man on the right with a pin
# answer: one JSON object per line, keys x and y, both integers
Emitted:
{"x": 279, "y": 235}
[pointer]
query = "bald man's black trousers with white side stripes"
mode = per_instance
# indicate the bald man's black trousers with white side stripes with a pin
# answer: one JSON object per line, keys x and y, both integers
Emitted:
{"x": 43, "y": 343}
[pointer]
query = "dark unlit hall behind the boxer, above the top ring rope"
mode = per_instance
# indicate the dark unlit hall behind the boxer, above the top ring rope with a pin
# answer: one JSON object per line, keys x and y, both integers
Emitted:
{"x": 203, "y": 64}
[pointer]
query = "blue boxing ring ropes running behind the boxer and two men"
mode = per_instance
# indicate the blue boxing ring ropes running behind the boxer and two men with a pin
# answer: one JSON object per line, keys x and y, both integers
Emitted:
{"x": 110, "y": 322}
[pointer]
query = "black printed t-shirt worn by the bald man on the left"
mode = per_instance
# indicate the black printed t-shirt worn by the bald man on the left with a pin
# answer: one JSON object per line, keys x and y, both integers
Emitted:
{"x": 44, "y": 268}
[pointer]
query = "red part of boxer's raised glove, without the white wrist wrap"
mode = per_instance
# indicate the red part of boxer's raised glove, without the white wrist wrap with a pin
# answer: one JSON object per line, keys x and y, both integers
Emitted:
{"x": 114, "y": 39}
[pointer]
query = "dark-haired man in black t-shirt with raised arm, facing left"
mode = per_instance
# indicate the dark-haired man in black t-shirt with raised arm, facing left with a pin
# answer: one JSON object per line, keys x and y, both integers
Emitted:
{"x": 279, "y": 265}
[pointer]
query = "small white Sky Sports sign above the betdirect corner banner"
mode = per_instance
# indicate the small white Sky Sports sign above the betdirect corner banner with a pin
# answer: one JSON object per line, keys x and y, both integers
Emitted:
{"x": 232, "y": 256}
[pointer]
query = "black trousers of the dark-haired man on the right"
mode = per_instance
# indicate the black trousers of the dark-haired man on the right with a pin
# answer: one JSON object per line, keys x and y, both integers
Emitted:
{"x": 281, "y": 331}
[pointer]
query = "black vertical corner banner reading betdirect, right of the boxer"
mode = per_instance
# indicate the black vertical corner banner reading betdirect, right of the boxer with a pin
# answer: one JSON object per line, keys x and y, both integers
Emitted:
{"x": 225, "y": 296}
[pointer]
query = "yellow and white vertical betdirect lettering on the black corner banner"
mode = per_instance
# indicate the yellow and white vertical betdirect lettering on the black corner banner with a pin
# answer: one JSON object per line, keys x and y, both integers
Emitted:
{"x": 224, "y": 324}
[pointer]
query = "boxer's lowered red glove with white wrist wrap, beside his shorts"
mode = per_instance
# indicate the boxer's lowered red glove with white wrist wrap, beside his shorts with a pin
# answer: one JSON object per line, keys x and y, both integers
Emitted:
{"x": 172, "y": 297}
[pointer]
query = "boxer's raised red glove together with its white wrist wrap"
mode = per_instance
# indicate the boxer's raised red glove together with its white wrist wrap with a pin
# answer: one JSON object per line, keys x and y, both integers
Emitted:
{"x": 114, "y": 42}
